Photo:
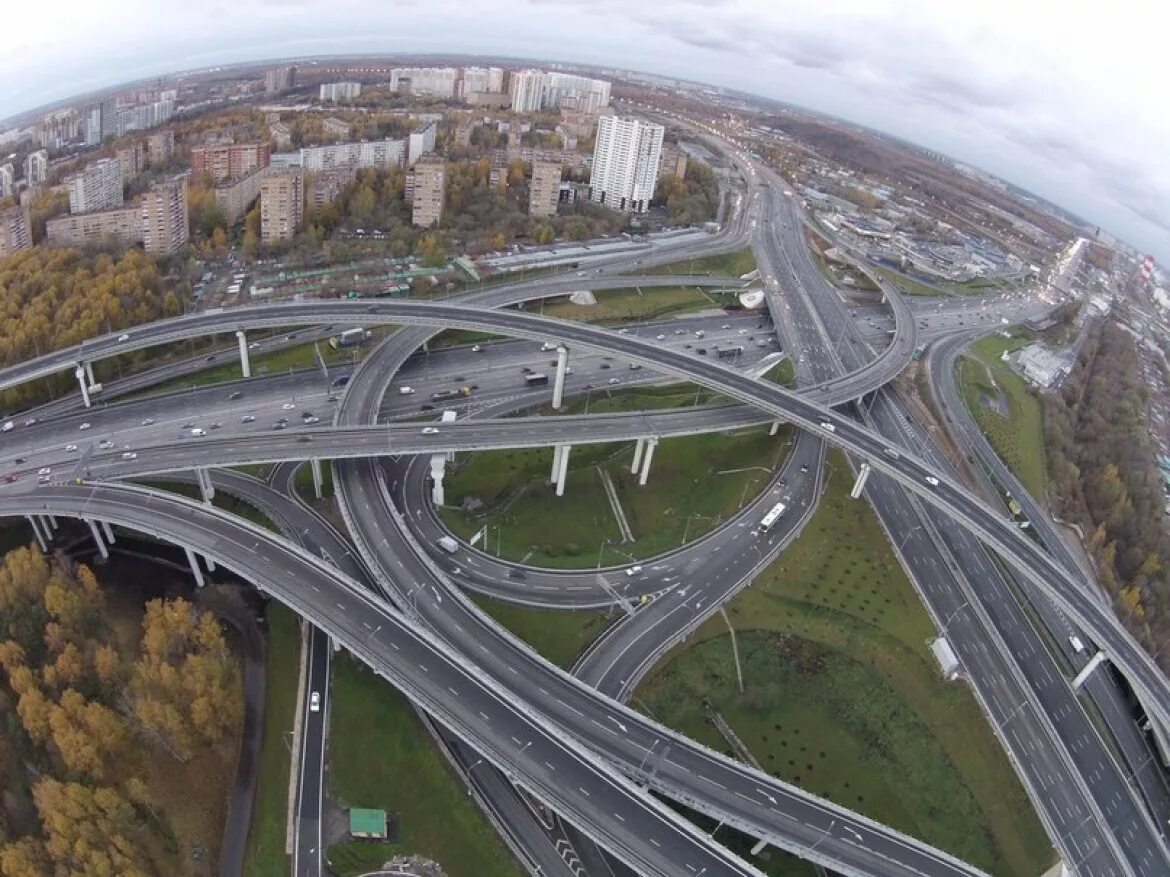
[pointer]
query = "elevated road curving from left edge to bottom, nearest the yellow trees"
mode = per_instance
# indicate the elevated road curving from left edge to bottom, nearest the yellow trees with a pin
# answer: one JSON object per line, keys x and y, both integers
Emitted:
{"x": 609, "y": 810}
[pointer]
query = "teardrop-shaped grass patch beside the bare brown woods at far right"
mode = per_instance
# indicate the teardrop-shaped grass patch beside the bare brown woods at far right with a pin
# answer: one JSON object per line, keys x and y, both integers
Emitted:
{"x": 1018, "y": 438}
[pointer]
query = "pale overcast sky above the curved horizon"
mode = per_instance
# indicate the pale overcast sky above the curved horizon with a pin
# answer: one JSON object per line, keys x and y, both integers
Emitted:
{"x": 1065, "y": 99}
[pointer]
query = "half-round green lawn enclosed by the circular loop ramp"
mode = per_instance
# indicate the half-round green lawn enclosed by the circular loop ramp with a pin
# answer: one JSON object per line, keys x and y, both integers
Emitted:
{"x": 696, "y": 484}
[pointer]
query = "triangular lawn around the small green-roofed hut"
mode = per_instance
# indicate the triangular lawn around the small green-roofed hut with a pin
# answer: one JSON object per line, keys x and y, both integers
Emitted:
{"x": 382, "y": 757}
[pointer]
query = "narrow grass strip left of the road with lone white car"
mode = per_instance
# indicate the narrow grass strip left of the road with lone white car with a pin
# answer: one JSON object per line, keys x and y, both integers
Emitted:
{"x": 266, "y": 840}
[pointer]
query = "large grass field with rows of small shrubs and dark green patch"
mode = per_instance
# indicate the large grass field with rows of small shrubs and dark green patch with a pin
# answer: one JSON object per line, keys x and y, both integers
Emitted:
{"x": 844, "y": 699}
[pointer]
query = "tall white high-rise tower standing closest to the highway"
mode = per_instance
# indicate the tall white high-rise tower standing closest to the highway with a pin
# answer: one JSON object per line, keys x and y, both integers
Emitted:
{"x": 625, "y": 163}
